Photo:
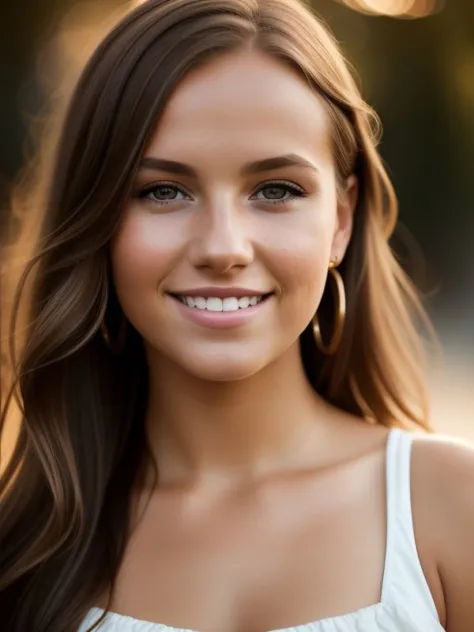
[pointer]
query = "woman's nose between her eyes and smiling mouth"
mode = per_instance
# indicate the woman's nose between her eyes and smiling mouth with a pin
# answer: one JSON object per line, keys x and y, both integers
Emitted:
{"x": 222, "y": 239}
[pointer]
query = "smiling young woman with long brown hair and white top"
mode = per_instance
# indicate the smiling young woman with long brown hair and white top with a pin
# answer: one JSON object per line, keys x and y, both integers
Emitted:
{"x": 220, "y": 372}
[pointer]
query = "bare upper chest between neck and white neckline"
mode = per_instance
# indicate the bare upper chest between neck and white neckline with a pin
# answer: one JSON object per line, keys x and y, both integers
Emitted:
{"x": 293, "y": 553}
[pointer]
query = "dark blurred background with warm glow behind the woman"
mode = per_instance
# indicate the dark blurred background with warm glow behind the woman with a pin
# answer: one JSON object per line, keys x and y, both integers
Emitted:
{"x": 415, "y": 63}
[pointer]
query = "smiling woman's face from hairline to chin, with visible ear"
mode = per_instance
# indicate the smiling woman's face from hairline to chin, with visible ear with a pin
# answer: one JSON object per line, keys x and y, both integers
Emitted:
{"x": 234, "y": 204}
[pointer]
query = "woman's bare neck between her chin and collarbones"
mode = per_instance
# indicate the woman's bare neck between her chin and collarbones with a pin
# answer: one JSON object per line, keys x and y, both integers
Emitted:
{"x": 233, "y": 430}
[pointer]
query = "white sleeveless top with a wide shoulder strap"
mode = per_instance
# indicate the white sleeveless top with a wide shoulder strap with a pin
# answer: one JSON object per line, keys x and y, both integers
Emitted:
{"x": 406, "y": 603}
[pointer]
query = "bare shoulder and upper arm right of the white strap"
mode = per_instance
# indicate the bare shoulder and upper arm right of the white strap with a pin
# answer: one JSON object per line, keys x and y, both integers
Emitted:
{"x": 443, "y": 514}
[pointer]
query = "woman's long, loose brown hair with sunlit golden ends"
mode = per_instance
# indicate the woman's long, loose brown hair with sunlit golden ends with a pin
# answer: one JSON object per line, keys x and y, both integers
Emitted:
{"x": 65, "y": 492}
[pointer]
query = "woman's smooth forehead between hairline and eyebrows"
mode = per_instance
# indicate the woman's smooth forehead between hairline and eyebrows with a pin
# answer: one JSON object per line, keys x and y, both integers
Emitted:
{"x": 243, "y": 101}
